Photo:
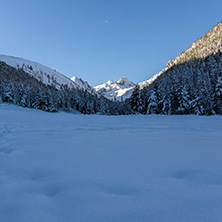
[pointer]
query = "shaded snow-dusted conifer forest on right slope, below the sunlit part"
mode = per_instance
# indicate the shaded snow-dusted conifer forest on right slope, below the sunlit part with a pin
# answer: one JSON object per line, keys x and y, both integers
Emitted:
{"x": 193, "y": 87}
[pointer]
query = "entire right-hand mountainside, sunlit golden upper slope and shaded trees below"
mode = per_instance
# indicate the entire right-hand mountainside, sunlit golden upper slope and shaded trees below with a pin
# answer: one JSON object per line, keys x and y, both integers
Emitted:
{"x": 191, "y": 83}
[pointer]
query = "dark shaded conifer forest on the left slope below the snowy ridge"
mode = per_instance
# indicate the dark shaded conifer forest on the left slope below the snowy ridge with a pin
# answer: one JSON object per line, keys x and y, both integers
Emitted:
{"x": 18, "y": 87}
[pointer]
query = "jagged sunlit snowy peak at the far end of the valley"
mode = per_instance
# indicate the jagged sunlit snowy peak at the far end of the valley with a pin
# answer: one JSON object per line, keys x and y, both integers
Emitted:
{"x": 116, "y": 90}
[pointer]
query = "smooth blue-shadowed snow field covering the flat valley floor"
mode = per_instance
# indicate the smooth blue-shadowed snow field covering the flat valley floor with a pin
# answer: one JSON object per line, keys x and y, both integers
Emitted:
{"x": 65, "y": 167}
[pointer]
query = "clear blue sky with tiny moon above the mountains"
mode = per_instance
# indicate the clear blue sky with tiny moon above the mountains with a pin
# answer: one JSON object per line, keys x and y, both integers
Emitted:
{"x": 99, "y": 40}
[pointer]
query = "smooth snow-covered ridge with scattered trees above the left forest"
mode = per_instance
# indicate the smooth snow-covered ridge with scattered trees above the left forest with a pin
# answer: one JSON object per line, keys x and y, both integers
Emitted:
{"x": 46, "y": 75}
